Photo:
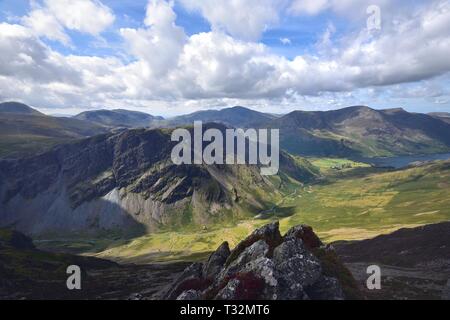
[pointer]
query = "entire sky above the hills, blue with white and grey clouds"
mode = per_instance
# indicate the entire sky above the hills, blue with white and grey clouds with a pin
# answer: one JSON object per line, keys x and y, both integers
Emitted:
{"x": 173, "y": 57}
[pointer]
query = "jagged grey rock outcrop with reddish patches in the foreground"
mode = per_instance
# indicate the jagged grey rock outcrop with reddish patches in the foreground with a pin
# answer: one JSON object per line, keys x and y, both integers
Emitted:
{"x": 268, "y": 266}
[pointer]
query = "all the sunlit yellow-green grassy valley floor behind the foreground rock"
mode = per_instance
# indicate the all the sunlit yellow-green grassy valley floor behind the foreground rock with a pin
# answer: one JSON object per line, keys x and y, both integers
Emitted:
{"x": 353, "y": 207}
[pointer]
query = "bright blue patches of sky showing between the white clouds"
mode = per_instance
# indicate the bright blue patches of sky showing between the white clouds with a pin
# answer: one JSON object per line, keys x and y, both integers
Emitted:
{"x": 302, "y": 32}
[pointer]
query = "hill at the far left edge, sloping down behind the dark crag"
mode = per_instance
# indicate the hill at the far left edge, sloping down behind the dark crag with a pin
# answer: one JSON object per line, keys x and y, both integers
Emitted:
{"x": 25, "y": 131}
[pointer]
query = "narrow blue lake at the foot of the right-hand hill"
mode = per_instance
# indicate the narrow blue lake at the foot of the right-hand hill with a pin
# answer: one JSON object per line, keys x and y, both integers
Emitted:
{"x": 402, "y": 161}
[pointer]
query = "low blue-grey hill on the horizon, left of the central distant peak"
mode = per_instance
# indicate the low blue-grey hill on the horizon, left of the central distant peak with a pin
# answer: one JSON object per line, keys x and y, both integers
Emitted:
{"x": 119, "y": 118}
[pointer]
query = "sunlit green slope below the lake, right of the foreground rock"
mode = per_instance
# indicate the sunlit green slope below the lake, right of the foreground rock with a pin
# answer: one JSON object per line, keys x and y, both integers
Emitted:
{"x": 358, "y": 208}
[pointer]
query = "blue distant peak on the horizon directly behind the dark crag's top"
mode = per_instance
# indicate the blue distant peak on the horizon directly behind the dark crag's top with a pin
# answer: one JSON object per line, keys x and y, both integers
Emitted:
{"x": 237, "y": 117}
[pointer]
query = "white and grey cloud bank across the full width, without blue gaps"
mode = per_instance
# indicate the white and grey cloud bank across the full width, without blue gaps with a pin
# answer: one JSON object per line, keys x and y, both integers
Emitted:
{"x": 170, "y": 68}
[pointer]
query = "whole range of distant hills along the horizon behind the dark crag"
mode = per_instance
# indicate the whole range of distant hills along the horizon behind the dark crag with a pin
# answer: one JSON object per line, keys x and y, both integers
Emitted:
{"x": 350, "y": 132}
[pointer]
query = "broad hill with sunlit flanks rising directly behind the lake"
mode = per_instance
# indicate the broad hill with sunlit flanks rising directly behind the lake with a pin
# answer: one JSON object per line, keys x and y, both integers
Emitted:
{"x": 362, "y": 131}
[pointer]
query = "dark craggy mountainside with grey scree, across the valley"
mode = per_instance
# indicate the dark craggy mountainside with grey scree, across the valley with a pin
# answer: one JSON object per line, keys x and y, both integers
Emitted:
{"x": 123, "y": 182}
